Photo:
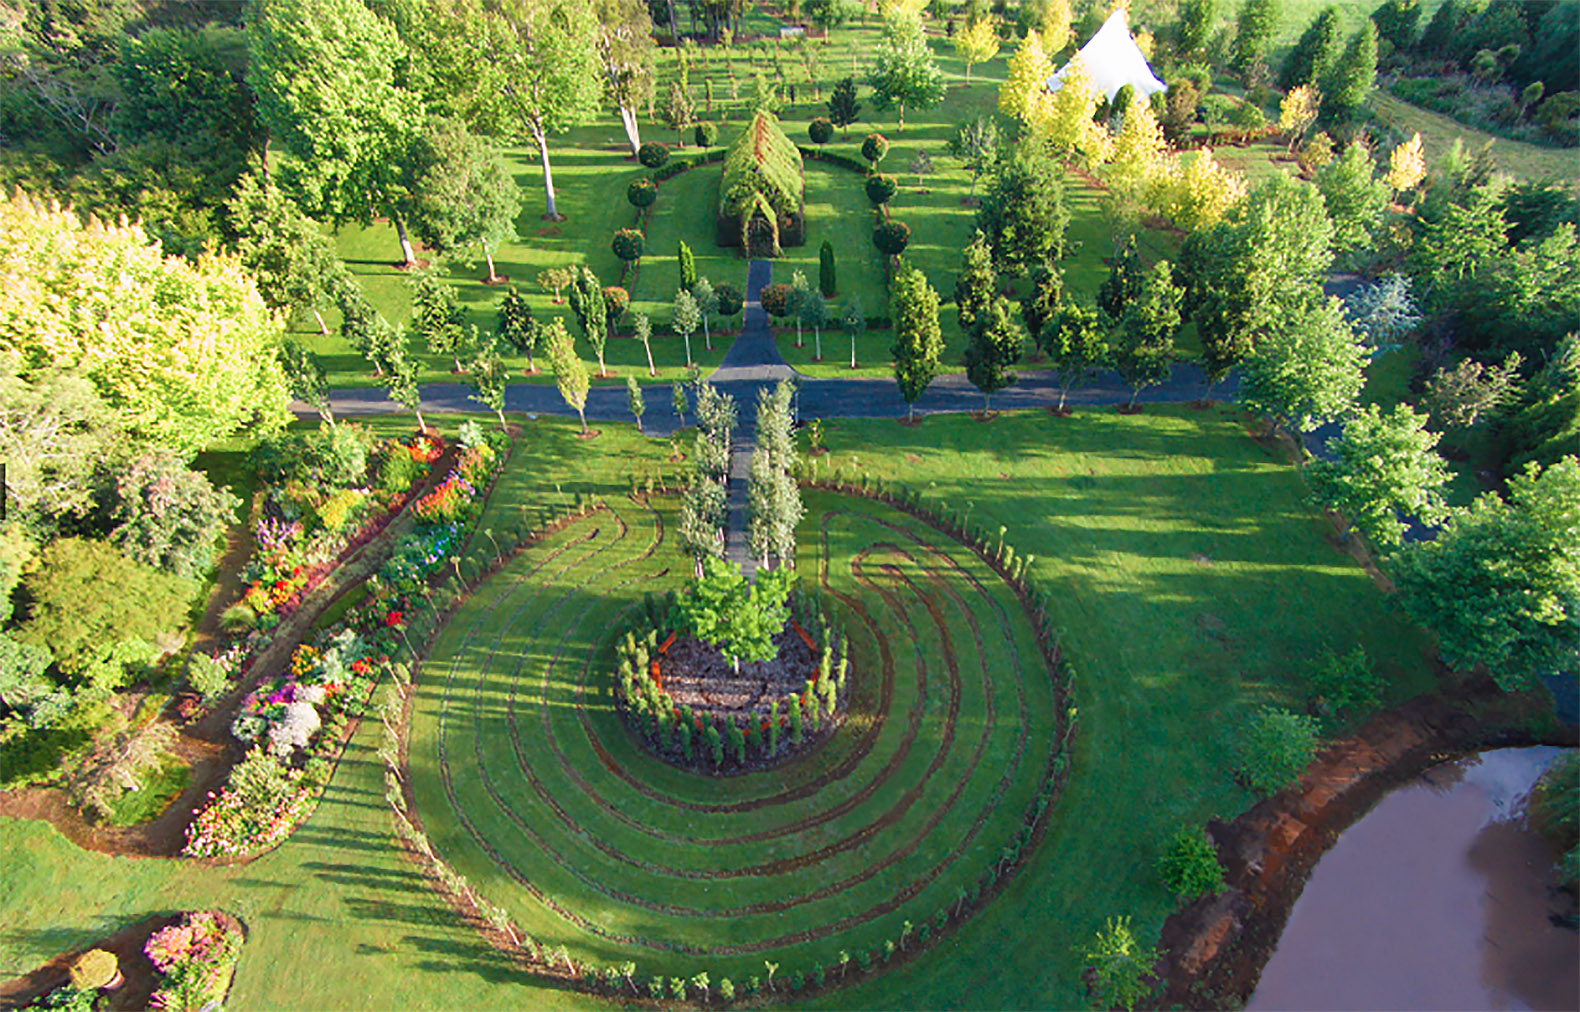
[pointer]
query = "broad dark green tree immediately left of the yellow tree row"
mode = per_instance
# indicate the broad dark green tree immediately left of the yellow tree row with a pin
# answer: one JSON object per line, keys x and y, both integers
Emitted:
{"x": 1023, "y": 212}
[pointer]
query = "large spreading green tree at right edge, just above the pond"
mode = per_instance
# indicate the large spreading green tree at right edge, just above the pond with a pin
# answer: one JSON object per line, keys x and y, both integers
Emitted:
{"x": 1500, "y": 585}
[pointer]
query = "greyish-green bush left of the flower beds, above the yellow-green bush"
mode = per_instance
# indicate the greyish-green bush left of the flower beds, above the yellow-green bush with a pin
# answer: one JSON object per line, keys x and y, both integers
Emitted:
{"x": 170, "y": 517}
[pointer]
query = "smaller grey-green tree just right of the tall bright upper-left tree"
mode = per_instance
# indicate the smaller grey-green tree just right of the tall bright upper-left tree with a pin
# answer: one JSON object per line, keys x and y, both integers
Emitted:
{"x": 462, "y": 193}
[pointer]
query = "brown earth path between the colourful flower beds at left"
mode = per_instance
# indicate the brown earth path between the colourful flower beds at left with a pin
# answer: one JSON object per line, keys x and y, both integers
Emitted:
{"x": 208, "y": 741}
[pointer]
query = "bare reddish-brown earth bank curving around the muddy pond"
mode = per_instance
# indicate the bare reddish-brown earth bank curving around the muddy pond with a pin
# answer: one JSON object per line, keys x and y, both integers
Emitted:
{"x": 1216, "y": 948}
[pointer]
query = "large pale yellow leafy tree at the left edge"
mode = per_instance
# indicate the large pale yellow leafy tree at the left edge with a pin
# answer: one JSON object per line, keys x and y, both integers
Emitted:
{"x": 182, "y": 351}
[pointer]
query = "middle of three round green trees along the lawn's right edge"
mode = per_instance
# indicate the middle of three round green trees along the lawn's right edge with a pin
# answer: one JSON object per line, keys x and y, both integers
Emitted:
{"x": 1385, "y": 468}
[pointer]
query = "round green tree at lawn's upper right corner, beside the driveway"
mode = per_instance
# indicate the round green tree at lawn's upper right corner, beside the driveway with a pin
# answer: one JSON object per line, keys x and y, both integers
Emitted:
{"x": 1307, "y": 369}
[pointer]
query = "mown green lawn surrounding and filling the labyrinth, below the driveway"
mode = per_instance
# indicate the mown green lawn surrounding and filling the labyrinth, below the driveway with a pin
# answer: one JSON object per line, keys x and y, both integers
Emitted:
{"x": 1189, "y": 575}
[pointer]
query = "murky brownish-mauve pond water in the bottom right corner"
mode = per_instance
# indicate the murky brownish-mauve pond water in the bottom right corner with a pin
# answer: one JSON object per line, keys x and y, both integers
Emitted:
{"x": 1439, "y": 899}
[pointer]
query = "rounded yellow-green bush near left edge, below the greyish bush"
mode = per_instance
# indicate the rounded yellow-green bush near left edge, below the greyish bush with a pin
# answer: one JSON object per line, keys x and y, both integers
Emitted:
{"x": 89, "y": 599}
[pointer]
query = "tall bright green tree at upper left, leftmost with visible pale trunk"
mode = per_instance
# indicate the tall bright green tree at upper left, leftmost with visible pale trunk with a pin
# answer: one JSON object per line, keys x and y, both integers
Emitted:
{"x": 325, "y": 73}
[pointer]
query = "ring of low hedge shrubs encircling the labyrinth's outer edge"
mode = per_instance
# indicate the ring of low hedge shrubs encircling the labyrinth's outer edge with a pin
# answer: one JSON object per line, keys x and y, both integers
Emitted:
{"x": 494, "y": 924}
